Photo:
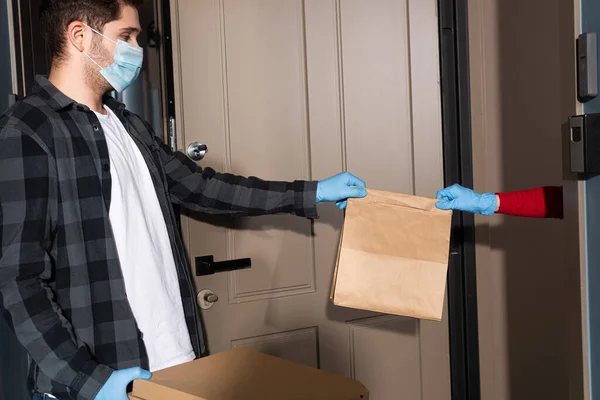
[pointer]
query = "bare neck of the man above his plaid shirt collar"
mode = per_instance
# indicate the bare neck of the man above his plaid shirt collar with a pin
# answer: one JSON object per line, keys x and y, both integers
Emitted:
{"x": 74, "y": 86}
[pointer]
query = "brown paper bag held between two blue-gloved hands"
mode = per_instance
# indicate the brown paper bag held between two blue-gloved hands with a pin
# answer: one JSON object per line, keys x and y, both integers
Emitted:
{"x": 393, "y": 256}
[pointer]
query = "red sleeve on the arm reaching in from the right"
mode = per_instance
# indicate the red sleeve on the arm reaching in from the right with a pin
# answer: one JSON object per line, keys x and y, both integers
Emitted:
{"x": 543, "y": 202}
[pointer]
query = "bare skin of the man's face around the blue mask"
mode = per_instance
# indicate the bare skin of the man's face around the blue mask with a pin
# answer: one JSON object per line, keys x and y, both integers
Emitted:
{"x": 126, "y": 28}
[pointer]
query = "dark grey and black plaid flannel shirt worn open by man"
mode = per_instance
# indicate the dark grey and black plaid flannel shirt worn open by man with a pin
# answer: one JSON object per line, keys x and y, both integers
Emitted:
{"x": 60, "y": 278}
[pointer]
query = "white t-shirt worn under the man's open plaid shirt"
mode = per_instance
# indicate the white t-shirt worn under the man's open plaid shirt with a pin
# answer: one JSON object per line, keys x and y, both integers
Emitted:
{"x": 145, "y": 251}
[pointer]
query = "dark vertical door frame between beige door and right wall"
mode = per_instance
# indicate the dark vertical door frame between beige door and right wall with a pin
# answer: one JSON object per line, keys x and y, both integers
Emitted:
{"x": 458, "y": 168}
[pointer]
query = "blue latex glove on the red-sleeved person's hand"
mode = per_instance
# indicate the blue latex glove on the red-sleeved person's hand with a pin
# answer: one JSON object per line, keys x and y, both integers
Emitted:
{"x": 460, "y": 198}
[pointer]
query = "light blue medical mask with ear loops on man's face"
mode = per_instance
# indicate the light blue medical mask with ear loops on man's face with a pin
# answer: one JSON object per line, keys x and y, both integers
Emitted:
{"x": 126, "y": 66}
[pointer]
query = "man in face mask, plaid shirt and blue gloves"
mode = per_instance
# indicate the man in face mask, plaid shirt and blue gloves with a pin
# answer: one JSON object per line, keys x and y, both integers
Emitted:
{"x": 92, "y": 270}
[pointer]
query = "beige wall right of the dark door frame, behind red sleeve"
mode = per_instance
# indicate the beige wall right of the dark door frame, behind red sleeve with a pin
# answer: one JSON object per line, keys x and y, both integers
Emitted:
{"x": 522, "y": 83}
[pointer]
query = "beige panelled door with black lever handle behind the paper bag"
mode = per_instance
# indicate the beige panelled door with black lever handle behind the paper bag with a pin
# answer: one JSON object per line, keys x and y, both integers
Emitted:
{"x": 292, "y": 89}
